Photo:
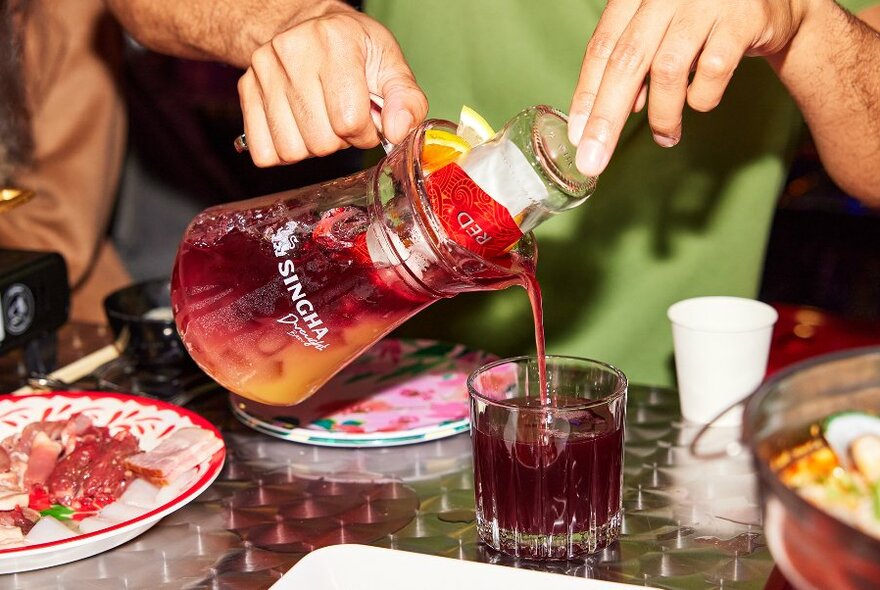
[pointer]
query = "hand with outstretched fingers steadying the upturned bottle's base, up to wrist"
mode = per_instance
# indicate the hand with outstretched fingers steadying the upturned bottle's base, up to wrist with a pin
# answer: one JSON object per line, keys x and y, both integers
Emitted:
{"x": 679, "y": 51}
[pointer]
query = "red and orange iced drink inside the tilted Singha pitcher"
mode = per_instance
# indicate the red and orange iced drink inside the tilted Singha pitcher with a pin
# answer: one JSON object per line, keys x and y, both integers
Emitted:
{"x": 274, "y": 326}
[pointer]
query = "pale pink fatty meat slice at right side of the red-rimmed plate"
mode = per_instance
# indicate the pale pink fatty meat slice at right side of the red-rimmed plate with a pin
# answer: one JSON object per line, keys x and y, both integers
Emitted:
{"x": 183, "y": 450}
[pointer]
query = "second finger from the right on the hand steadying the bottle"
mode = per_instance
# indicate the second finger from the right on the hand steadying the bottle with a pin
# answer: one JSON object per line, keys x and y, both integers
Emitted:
{"x": 670, "y": 72}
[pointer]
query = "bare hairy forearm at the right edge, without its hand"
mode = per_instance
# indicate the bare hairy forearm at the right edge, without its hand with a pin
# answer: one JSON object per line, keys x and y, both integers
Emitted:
{"x": 832, "y": 69}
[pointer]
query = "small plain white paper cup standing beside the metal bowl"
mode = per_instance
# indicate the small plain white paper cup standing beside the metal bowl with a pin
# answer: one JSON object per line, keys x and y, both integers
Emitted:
{"x": 721, "y": 349}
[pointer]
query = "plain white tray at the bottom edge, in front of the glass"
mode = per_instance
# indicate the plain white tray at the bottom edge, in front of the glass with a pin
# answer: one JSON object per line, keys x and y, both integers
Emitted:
{"x": 362, "y": 567}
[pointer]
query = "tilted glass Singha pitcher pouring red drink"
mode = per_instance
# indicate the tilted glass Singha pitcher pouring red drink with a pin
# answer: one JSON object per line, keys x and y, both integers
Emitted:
{"x": 274, "y": 295}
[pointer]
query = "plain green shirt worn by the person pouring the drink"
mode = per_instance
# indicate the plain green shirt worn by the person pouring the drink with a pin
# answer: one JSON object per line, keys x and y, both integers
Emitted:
{"x": 663, "y": 224}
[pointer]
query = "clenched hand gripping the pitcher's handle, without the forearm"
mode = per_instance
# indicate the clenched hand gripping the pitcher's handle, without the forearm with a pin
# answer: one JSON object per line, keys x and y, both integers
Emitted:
{"x": 306, "y": 92}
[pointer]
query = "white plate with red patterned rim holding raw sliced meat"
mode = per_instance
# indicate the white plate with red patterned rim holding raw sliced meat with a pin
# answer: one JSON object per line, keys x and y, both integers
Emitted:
{"x": 148, "y": 420}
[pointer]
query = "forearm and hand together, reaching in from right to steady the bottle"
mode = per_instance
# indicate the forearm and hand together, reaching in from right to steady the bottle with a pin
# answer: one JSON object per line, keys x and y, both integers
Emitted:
{"x": 828, "y": 60}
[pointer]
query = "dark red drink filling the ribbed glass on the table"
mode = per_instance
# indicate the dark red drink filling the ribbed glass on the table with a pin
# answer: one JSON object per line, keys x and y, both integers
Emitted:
{"x": 548, "y": 483}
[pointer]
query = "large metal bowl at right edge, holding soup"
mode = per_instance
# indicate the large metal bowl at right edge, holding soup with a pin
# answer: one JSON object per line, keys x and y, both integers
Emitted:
{"x": 811, "y": 547}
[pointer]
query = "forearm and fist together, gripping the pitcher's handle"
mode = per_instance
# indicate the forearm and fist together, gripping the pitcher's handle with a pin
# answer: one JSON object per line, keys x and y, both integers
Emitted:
{"x": 310, "y": 68}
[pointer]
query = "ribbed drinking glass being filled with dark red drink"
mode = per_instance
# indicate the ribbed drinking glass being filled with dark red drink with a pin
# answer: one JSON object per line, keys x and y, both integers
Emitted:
{"x": 548, "y": 468}
